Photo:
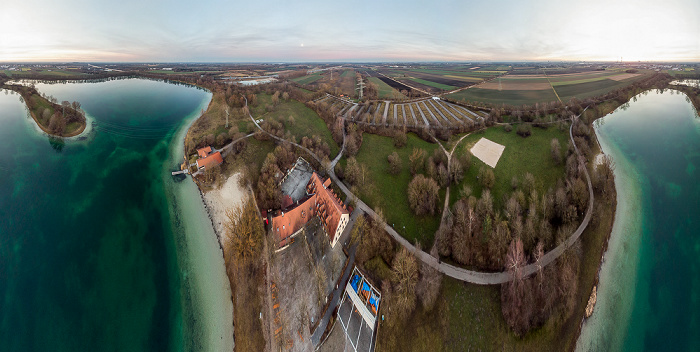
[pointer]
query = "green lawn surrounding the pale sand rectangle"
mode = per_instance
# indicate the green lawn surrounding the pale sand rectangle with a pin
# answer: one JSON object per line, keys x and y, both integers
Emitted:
{"x": 521, "y": 155}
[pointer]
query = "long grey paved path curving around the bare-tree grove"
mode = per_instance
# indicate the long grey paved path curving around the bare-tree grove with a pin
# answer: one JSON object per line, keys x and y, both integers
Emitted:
{"x": 475, "y": 277}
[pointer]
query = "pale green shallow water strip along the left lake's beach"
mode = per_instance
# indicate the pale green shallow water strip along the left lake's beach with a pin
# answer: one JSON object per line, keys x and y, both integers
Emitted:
{"x": 206, "y": 301}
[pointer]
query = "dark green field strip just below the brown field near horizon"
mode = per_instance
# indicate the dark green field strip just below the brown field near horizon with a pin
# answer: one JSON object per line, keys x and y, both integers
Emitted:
{"x": 511, "y": 97}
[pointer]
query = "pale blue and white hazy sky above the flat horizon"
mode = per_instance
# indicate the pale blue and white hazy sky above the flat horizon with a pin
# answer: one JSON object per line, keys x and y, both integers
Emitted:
{"x": 390, "y": 31}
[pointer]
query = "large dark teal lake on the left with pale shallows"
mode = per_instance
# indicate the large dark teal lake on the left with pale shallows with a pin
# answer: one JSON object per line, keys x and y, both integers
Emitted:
{"x": 100, "y": 249}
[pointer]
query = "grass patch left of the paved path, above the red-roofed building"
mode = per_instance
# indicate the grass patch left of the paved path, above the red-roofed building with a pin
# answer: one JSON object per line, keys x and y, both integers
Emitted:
{"x": 306, "y": 121}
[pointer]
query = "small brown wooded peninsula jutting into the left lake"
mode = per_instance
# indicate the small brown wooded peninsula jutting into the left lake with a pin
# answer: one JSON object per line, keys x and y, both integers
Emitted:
{"x": 59, "y": 120}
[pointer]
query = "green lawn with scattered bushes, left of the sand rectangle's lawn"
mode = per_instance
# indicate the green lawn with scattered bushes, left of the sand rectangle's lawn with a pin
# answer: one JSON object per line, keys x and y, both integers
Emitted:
{"x": 388, "y": 192}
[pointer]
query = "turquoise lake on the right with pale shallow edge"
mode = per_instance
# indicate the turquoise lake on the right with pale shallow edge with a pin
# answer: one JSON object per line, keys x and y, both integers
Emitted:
{"x": 649, "y": 292}
